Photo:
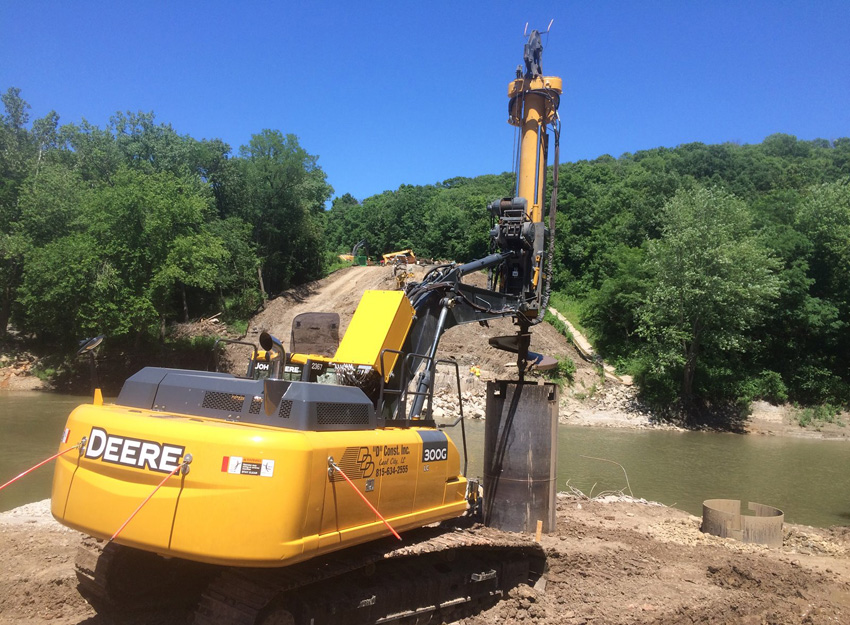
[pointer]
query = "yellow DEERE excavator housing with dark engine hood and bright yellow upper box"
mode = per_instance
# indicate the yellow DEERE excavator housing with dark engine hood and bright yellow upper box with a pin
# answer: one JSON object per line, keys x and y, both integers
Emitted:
{"x": 260, "y": 489}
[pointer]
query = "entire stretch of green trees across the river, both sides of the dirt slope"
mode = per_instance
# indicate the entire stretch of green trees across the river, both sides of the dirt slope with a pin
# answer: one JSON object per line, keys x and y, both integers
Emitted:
{"x": 712, "y": 273}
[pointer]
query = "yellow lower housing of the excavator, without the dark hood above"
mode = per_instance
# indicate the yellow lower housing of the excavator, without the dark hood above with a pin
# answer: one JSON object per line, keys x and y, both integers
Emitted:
{"x": 253, "y": 495}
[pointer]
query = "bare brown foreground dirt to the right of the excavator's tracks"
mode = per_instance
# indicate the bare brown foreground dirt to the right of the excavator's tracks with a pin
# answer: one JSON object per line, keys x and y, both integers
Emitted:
{"x": 636, "y": 564}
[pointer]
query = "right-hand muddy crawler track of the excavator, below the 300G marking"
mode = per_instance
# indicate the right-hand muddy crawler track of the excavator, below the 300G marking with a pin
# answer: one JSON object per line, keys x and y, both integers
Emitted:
{"x": 438, "y": 574}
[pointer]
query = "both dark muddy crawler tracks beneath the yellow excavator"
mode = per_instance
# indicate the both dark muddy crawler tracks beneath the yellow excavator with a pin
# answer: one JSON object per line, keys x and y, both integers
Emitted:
{"x": 435, "y": 574}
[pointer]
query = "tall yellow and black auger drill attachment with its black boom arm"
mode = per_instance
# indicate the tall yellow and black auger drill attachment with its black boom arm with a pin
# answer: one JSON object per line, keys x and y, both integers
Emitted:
{"x": 520, "y": 265}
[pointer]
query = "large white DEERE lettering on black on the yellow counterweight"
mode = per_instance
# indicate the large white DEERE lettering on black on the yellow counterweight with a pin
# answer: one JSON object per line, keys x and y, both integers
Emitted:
{"x": 133, "y": 452}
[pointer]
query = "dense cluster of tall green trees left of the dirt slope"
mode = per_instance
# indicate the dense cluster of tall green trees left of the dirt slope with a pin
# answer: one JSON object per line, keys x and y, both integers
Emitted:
{"x": 123, "y": 229}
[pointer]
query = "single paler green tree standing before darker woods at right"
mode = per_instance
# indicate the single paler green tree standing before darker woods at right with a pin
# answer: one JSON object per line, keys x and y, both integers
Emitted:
{"x": 711, "y": 280}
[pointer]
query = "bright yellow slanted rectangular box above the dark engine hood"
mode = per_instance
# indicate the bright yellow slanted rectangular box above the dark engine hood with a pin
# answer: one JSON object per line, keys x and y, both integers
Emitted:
{"x": 381, "y": 321}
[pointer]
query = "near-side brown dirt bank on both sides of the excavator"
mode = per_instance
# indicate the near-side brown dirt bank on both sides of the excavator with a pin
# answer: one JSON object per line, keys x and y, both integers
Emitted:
{"x": 610, "y": 561}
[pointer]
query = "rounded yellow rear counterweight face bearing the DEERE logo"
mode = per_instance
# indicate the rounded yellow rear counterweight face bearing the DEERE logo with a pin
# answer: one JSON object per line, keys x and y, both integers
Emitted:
{"x": 246, "y": 486}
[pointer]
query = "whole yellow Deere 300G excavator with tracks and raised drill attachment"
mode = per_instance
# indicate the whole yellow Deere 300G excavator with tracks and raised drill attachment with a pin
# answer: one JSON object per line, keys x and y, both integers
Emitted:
{"x": 279, "y": 496}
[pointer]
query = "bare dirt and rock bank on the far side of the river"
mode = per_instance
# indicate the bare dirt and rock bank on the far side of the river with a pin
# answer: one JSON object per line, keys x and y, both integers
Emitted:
{"x": 595, "y": 398}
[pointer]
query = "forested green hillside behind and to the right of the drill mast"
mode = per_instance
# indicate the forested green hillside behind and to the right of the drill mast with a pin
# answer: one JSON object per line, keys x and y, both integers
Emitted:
{"x": 715, "y": 274}
